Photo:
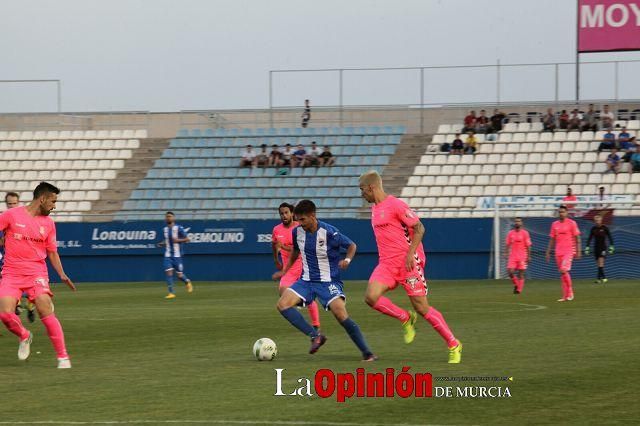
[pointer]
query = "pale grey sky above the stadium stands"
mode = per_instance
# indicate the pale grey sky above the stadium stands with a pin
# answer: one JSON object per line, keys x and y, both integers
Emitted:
{"x": 162, "y": 55}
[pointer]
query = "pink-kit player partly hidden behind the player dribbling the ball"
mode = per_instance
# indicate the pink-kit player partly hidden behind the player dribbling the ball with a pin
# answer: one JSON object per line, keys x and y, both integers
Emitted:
{"x": 282, "y": 244}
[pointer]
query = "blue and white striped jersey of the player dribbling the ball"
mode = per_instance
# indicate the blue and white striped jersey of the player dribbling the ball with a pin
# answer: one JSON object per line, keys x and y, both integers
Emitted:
{"x": 320, "y": 252}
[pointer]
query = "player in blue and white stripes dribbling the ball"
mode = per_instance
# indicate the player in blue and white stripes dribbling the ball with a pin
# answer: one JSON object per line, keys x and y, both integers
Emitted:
{"x": 320, "y": 246}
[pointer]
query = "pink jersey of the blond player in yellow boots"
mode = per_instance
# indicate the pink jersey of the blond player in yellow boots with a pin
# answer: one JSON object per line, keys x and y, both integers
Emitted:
{"x": 393, "y": 223}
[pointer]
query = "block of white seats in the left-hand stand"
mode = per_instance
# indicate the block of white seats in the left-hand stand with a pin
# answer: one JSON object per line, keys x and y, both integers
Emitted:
{"x": 82, "y": 163}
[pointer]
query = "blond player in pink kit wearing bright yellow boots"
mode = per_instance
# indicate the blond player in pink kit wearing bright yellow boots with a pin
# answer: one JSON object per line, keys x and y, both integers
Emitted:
{"x": 399, "y": 233}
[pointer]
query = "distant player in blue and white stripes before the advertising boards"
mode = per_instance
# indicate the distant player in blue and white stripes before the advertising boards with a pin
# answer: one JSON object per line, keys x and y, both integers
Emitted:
{"x": 174, "y": 237}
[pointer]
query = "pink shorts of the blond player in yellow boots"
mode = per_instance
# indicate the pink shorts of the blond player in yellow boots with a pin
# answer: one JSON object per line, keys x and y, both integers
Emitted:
{"x": 393, "y": 274}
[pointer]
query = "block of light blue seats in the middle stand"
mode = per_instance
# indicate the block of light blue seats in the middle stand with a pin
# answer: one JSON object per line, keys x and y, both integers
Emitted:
{"x": 198, "y": 175}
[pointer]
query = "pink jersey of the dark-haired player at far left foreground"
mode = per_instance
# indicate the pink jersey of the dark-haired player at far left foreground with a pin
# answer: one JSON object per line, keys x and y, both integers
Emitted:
{"x": 27, "y": 241}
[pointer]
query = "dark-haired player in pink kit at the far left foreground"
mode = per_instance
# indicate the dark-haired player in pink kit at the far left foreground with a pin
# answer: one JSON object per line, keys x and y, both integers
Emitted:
{"x": 30, "y": 237}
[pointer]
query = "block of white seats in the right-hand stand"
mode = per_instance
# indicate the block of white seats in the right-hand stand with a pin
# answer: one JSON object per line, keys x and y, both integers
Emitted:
{"x": 522, "y": 160}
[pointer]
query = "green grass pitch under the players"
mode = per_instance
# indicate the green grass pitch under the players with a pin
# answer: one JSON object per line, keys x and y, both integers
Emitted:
{"x": 138, "y": 358}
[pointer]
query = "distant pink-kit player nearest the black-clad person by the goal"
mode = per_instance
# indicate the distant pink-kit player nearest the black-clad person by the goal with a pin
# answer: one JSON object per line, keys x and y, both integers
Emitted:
{"x": 565, "y": 236}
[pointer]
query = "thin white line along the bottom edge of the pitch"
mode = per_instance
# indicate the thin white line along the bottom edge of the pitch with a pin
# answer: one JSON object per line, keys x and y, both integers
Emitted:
{"x": 235, "y": 422}
